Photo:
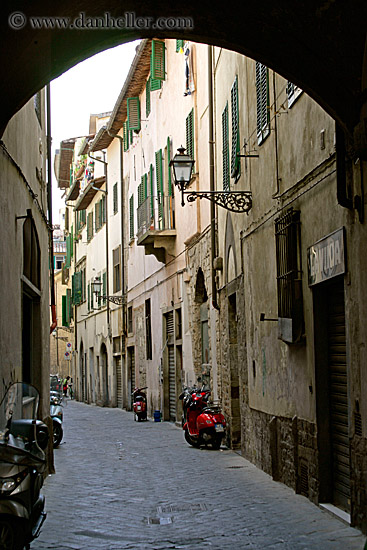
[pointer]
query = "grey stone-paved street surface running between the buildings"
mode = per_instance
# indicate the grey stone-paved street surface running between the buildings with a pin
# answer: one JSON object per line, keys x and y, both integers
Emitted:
{"x": 121, "y": 484}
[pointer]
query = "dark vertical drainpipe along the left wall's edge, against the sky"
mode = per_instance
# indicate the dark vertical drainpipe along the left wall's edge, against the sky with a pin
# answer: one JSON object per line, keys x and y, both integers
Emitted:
{"x": 49, "y": 206}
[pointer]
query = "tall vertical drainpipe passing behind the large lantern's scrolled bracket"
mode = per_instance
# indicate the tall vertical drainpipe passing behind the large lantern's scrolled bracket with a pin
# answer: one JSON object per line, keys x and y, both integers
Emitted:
{"x": 211, "y": 176}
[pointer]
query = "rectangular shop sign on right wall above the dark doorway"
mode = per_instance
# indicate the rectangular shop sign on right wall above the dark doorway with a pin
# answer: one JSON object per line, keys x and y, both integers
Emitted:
{"x": 326, "y": 258}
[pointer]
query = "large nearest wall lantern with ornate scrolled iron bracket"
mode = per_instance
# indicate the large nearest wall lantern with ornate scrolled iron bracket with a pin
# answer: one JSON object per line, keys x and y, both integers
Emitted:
{"x": 182, "y": 164}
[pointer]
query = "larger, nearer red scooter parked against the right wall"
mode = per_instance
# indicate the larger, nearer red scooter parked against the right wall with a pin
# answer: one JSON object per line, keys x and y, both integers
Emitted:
{"x": 202, "y": 423}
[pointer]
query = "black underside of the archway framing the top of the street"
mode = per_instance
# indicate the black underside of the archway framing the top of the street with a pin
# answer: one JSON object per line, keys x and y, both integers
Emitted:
{"x": 319, "y": 46}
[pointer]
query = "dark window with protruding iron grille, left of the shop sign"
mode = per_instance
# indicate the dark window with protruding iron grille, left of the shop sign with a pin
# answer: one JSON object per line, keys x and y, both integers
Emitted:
{"x": 289, "y": 276}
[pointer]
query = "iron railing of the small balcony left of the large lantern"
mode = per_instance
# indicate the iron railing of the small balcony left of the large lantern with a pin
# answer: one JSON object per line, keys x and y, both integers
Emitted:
{"x": 156, "y": 214}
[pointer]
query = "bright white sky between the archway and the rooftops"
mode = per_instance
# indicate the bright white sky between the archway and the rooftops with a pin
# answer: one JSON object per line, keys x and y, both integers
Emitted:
{"x": 90, "y": 87}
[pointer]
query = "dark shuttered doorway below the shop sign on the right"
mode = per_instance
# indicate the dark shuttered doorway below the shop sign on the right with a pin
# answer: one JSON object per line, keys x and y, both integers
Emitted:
{"x": 332, "y": 400}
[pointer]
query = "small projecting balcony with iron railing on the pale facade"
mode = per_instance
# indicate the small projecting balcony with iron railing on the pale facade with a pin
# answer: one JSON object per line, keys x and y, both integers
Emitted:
{"x": 156, "y": 226}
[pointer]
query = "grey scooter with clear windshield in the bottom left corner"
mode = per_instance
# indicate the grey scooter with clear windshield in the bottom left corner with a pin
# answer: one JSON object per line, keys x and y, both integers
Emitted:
{"x": 23, "y": 440}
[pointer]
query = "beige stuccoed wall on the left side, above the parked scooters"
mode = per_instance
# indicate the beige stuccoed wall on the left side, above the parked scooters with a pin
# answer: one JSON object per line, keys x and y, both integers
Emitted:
{"x": 22, "y": 157}
